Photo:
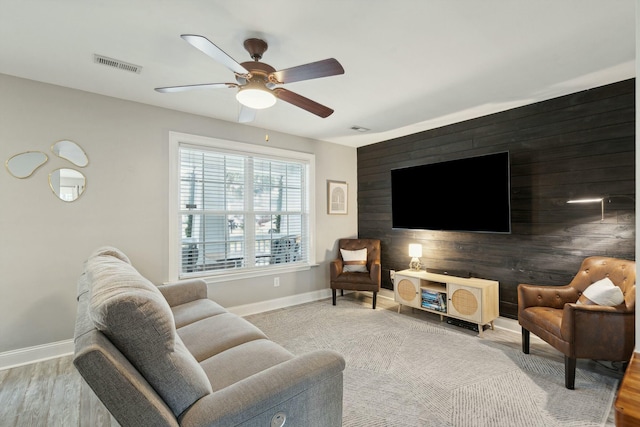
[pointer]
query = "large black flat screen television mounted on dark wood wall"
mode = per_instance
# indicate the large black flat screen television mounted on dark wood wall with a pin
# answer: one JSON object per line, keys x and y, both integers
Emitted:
{"x": 469, "y": 194}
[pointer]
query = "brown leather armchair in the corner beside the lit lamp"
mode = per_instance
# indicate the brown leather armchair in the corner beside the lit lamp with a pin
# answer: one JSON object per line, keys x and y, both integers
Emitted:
{"x": 357, "y": 281}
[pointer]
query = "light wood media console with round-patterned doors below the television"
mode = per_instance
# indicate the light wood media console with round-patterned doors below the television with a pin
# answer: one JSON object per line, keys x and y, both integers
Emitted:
{"x": 466, "y": 298}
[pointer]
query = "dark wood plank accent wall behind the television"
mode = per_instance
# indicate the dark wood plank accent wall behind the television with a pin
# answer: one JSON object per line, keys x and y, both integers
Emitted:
{"x": 576, "y": 146}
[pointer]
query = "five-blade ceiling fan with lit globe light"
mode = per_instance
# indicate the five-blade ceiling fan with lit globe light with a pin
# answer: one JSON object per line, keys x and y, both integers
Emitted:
{"x": 259, "y": 83}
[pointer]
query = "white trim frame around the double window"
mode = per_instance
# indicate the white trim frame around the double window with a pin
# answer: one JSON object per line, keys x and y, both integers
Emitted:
{"x": 176, "y": 141}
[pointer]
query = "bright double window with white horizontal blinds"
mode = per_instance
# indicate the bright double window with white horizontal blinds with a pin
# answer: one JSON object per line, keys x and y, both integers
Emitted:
{"x": 240, "y": 209}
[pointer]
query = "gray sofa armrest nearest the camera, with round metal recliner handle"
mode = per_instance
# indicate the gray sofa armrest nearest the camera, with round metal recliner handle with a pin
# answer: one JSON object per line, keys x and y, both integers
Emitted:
{"x": 307, "y": 388}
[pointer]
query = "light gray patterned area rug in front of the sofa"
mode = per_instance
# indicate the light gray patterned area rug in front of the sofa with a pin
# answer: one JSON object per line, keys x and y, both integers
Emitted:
{"x": 405, "y": 371}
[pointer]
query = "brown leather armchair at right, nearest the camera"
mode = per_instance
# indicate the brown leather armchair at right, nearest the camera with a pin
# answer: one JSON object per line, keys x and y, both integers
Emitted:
{"x": 582, "y": 331}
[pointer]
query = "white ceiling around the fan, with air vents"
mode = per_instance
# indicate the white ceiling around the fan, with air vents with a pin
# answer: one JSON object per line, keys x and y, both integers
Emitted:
{"x": 410, "y": 65}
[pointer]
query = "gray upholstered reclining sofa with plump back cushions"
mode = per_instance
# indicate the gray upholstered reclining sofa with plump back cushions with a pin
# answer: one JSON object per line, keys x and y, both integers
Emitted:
{"x": 169, "y": 356}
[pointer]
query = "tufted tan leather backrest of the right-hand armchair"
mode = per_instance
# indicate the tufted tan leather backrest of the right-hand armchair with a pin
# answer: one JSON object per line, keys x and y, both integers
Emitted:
{"x": 621, "y": 272}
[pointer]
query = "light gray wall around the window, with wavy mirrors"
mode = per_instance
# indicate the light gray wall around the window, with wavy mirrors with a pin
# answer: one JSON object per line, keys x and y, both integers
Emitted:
{"x": 45, "y": 241}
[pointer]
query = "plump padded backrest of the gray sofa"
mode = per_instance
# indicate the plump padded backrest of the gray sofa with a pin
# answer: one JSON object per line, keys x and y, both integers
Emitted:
{"x": 134, "y": 315}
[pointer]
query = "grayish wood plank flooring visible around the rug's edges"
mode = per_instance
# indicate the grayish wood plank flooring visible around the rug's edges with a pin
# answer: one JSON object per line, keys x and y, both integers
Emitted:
{"x": 52, "y": 393}
